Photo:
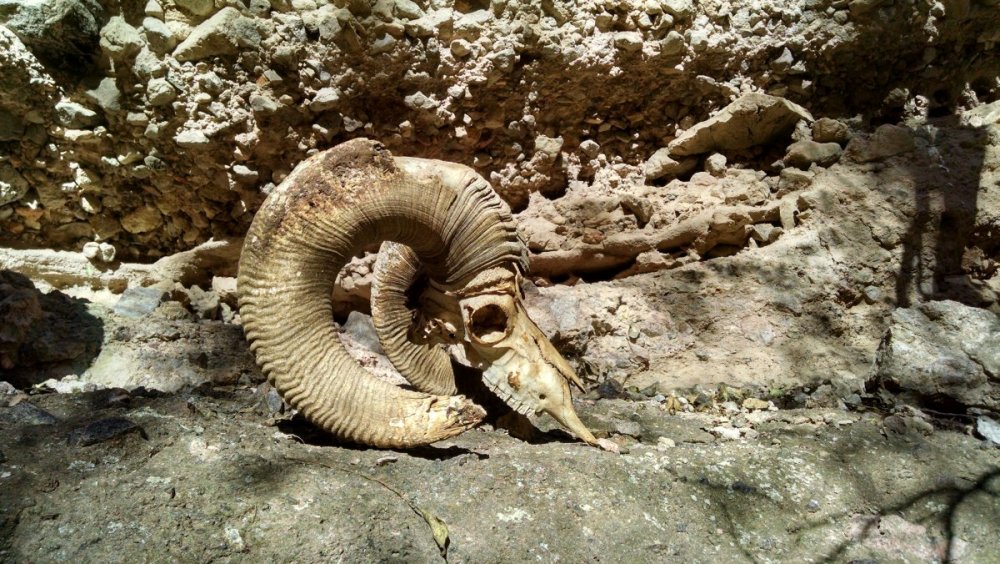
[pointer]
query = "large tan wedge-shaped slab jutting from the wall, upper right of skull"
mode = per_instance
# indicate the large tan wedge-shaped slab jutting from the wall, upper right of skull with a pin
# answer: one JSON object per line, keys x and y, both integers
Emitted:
{"x": 753, "y": 119}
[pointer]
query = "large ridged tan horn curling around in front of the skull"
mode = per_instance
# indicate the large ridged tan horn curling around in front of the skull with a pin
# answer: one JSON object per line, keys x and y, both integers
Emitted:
{"x": 333, "y": 204}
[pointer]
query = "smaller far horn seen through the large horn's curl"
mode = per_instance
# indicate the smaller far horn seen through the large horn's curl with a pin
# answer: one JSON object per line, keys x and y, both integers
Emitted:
{"x": 426, "y": 366}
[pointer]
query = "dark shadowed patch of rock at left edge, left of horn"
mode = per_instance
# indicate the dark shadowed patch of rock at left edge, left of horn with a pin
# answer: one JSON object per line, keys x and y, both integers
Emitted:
{"x": 43, "y": 335}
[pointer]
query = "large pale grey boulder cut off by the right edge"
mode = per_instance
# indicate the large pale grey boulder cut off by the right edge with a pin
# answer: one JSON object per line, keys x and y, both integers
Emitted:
{"x": 945, "y": 349}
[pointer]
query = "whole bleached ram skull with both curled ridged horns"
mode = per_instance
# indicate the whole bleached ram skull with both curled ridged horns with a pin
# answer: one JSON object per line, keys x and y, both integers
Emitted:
{"x": 458, "y": 234}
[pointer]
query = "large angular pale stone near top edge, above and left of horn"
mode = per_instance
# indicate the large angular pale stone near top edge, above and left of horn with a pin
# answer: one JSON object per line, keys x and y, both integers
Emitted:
{"x": 225, "y": 33}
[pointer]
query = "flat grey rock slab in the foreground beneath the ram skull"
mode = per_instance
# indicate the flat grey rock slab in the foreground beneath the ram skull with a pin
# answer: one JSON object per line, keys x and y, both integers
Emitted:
{"x": 215, "y": 474}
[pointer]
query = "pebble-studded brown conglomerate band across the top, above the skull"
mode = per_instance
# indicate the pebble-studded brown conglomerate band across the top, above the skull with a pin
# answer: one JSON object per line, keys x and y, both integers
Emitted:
{"x": 197, "y": 111}
